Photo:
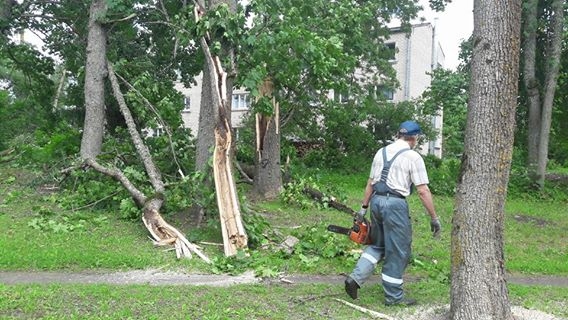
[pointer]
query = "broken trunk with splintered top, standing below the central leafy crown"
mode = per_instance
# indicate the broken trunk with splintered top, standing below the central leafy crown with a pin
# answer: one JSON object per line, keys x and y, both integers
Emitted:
{"x": 267, "y": 177}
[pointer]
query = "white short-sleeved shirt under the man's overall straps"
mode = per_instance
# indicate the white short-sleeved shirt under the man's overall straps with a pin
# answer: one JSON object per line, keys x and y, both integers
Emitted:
{"x": 407, "y": 169}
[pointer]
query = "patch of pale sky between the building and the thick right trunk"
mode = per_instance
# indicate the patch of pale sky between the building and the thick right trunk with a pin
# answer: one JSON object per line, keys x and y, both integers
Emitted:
{"x": 452, "y": 26}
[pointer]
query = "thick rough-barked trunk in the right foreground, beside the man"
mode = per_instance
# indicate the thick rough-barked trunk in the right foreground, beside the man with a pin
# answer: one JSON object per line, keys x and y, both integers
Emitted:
{"x": 479, "y": 289}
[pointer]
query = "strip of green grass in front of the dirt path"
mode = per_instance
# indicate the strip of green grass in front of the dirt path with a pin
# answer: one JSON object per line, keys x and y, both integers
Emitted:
{"x": 299, "y": 301}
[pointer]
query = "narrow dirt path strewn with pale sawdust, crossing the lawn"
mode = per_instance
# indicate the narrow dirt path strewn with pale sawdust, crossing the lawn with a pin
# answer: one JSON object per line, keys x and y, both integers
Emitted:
{"x": 158, "y": 277}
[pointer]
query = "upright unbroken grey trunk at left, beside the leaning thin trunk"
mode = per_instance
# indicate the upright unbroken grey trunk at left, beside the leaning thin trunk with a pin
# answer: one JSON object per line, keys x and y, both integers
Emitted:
{"x": 95, "y": 72}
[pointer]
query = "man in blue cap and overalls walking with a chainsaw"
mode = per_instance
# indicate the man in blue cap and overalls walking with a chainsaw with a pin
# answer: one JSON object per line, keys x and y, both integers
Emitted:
{"x": 395, "y": 169}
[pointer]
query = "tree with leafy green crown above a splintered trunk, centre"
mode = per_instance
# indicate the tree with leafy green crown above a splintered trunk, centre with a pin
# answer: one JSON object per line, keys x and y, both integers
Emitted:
{"x": 306, "y": 49}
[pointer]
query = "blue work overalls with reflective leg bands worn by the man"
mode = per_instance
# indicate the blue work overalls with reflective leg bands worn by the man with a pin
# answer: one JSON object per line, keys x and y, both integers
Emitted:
{"x": 392, "y": 237}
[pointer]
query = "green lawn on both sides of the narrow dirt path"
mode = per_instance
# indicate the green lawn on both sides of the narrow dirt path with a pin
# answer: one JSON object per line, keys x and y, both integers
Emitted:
{"x": 535, "y": 244}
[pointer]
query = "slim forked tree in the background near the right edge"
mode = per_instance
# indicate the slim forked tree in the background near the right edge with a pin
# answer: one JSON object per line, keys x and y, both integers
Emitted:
{"x": 543, "y": 29}
